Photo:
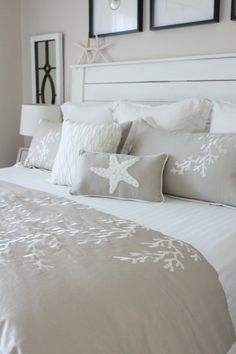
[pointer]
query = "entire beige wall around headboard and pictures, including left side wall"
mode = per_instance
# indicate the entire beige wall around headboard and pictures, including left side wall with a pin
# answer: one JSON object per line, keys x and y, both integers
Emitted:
{"x": 19, "y": 19}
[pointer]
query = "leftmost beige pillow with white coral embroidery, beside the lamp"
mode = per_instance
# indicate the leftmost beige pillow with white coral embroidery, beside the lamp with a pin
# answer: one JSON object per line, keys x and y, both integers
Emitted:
{"x": 44, "y": 146}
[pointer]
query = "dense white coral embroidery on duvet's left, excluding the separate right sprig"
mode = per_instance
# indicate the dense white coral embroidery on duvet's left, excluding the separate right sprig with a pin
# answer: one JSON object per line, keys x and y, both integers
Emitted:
{"x": 35, "y": 236}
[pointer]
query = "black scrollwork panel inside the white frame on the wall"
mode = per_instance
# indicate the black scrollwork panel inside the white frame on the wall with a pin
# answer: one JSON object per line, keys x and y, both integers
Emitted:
{"x": 45, "y": 72}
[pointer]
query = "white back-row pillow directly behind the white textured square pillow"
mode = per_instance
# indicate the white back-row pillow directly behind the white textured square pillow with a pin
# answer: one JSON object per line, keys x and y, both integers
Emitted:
{"x": 88, "y": 113}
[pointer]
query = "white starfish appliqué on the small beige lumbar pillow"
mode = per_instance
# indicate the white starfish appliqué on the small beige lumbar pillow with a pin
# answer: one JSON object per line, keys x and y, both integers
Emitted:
{"x": 117, "y": 172}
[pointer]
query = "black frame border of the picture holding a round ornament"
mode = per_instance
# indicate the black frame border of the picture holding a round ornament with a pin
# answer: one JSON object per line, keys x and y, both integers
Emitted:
{"x": 138, "y": 28}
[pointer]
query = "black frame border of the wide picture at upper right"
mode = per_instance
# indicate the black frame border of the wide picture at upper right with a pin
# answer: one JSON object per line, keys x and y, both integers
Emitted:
{"x": 215, "y": 18}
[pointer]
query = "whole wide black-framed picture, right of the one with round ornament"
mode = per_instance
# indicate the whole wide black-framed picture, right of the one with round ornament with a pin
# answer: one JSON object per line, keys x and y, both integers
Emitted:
{"x": 177, "y": 13}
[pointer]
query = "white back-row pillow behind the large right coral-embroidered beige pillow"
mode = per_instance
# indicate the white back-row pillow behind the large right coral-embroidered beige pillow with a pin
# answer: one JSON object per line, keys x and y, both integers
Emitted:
{"x": 190, "y": 115}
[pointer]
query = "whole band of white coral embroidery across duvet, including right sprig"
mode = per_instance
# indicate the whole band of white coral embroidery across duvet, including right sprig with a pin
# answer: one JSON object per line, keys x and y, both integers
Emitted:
{"x": 36, "y": 227}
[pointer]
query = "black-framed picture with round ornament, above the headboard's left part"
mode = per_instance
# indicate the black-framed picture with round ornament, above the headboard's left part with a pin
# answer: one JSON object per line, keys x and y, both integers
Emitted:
{"x": 112, "y": 17}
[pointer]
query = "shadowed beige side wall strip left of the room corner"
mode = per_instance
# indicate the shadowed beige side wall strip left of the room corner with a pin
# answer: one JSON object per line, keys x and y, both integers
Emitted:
{"x": 10, "y": 81}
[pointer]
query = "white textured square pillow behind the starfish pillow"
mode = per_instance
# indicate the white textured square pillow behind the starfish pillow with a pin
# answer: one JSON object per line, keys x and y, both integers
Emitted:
{"x": 81, "y": 136}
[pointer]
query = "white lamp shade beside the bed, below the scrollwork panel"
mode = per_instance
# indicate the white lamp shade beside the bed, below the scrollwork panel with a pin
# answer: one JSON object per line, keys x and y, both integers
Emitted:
{"x": 32, "y": 114}
